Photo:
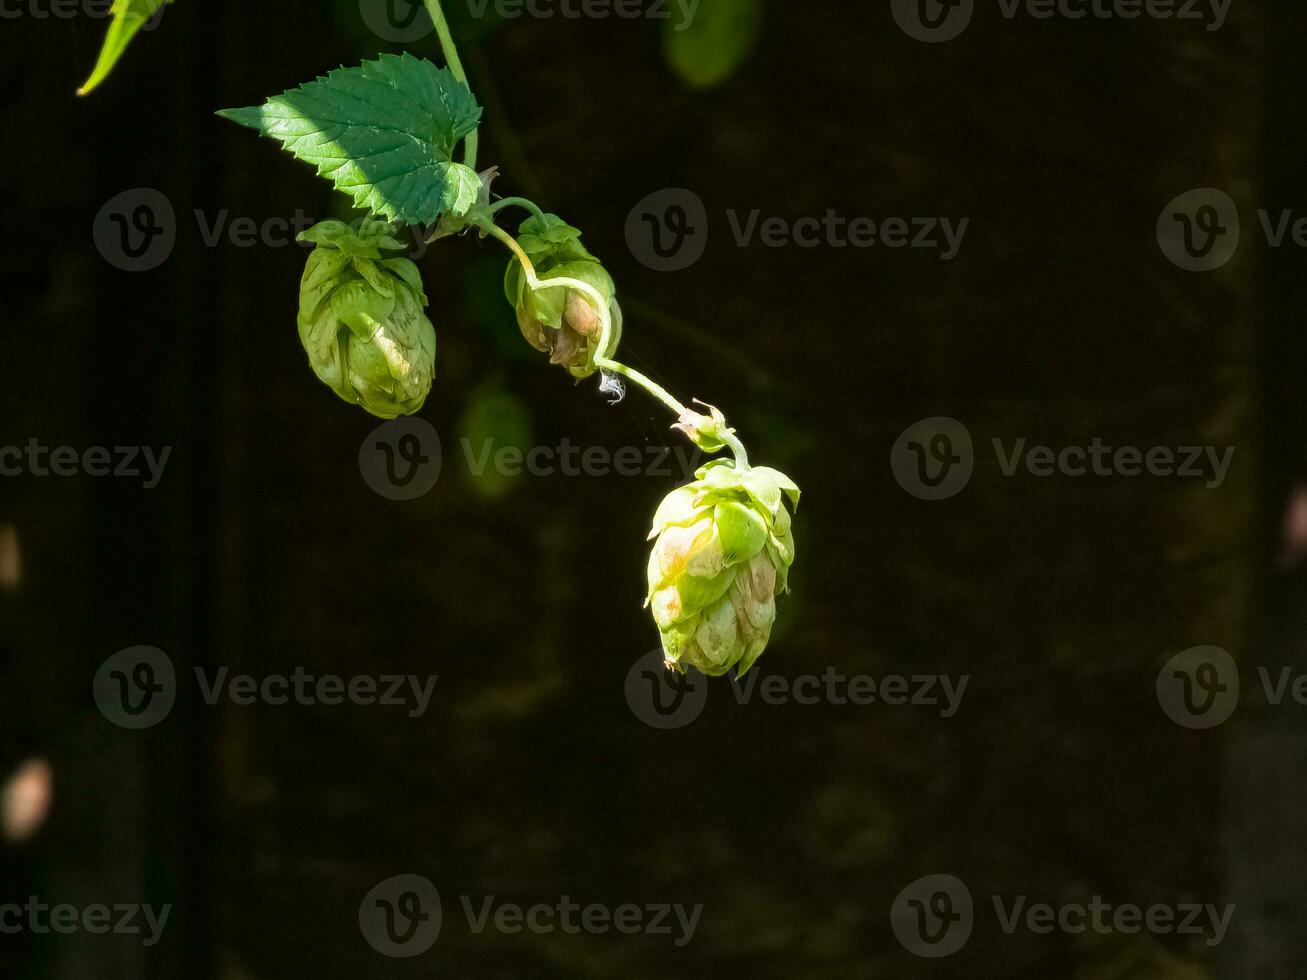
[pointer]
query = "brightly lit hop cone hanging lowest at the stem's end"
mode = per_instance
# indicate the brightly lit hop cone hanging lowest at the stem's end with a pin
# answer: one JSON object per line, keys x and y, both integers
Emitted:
{"x": 722, "y": 557}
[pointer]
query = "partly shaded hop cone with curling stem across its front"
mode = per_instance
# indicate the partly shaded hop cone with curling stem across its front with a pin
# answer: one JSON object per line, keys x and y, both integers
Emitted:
{"x": 563, "y": 322}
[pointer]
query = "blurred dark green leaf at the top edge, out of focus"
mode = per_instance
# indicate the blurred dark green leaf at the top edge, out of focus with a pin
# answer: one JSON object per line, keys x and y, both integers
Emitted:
{"x": 713, "y": 46}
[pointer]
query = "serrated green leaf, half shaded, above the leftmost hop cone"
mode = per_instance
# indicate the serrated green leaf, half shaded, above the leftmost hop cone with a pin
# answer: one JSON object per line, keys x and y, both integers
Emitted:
{"x": 384, "y": 133}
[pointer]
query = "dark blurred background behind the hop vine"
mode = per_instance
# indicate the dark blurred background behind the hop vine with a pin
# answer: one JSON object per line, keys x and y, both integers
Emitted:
{"x": 263, "y": 549}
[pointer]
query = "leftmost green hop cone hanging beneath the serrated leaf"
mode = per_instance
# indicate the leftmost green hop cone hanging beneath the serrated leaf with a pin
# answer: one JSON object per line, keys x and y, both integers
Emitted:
{"x": 363, "y": 321}
